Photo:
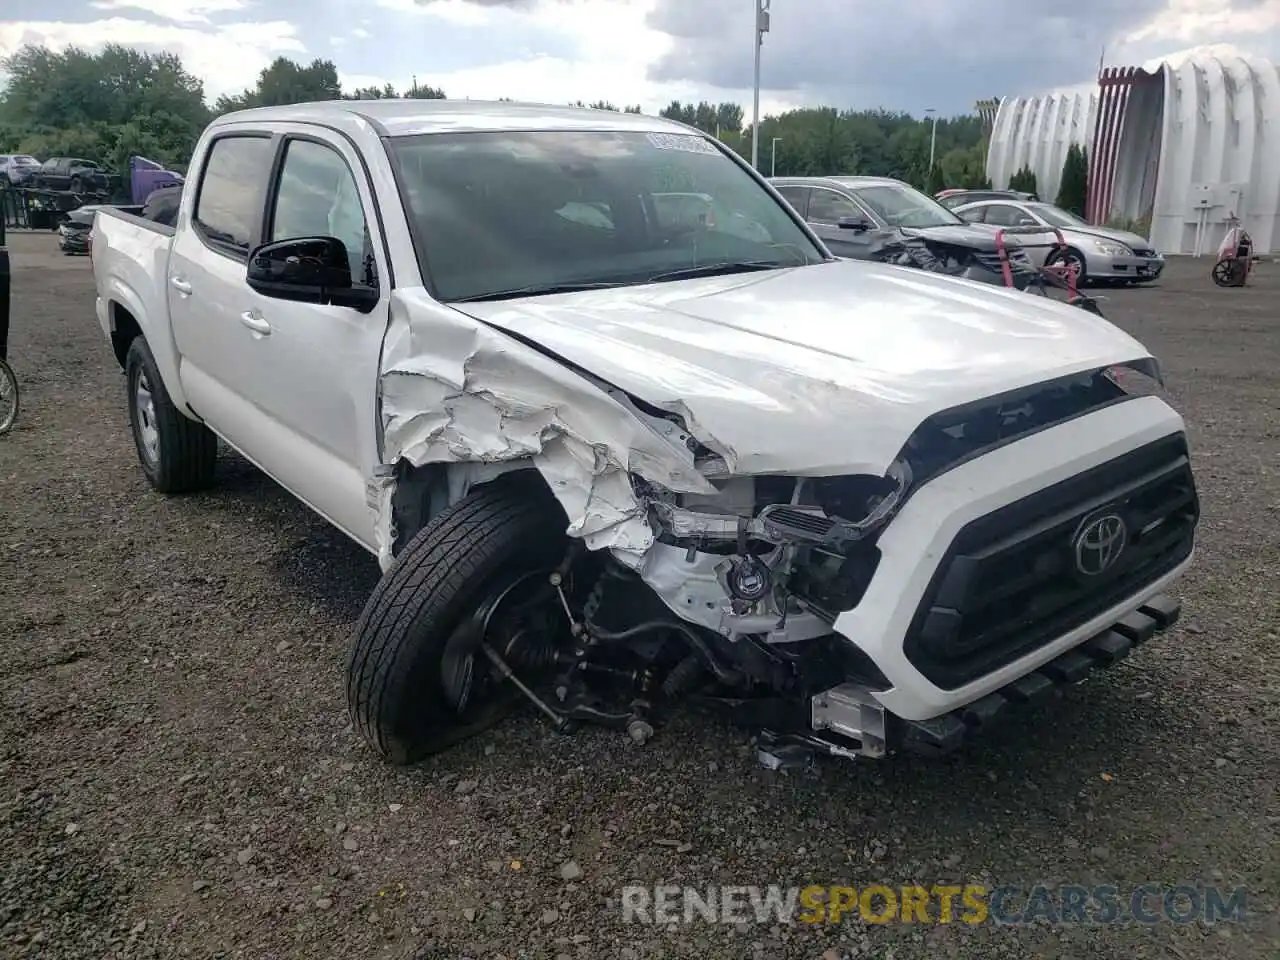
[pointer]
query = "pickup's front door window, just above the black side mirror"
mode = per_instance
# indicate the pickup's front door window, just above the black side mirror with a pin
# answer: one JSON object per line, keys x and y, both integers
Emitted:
{"x": 318, "y": 198}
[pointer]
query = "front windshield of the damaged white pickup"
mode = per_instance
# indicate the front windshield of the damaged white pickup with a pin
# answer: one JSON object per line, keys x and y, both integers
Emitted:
{"x": 506, "y": 212}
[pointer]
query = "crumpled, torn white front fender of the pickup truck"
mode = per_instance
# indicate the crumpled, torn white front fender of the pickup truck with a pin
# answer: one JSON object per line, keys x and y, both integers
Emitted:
{"x": 456, "y": 392}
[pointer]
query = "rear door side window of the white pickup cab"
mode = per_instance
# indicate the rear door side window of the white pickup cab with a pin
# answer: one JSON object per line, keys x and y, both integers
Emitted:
{"x": 231, "y": 191}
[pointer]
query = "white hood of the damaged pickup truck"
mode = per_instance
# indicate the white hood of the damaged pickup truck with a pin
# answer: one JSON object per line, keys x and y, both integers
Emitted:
{"x": 820, "y": 371}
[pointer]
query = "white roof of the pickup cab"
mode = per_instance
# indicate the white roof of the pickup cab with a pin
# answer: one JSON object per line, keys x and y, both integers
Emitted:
{"x": 405, "y": 118}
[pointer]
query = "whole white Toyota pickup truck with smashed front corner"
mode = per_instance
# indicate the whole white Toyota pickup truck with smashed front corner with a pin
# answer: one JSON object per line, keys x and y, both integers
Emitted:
{"x": 611, "y": 458}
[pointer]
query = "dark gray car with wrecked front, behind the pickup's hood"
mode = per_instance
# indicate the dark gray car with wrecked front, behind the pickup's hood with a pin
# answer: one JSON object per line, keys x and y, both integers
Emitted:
{"x": 860, "y": 218}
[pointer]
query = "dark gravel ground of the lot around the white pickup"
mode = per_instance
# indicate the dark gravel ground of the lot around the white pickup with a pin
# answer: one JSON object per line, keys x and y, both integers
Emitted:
{"x": 179, "y": 779}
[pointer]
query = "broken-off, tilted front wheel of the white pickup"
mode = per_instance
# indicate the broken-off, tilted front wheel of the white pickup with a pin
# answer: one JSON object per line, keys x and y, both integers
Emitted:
{"x": 418, "y": 639}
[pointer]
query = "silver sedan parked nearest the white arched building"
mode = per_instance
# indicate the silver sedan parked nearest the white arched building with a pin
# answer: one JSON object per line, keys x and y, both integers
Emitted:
{"x": 1095, "y": 253}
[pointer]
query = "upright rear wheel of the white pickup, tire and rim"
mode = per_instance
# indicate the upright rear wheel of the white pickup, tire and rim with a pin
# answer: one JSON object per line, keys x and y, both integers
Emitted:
{"x": 177, "y": 454}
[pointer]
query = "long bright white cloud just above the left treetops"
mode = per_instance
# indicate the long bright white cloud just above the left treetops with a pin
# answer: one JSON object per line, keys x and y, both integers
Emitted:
{"x": 227, "y": 57}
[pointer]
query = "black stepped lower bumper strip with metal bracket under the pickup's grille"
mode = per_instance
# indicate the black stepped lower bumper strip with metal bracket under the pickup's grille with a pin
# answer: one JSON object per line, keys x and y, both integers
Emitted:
{"x": 848, "y": 721}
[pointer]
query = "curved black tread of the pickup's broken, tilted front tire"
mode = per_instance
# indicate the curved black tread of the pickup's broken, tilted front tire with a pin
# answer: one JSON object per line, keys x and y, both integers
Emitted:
{"x": 413, "y": 611}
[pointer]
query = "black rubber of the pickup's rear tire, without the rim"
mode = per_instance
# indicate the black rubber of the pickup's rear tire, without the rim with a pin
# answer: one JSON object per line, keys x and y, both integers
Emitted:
{"x": 189, "y": 450}
